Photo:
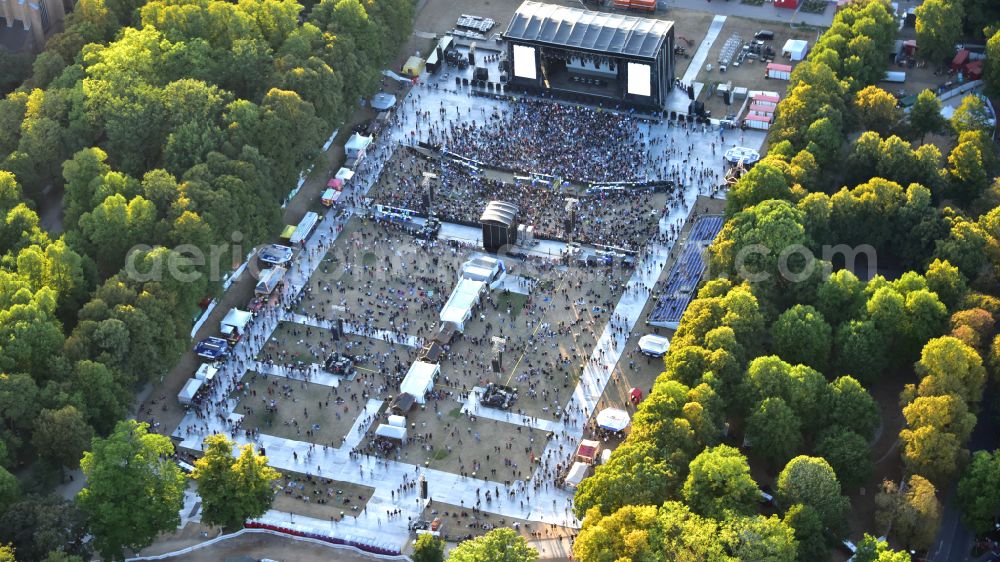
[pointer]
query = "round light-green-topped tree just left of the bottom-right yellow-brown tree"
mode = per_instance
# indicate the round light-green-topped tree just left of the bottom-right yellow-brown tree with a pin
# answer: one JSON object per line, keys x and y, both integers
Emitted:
{"x": 811, "y": 481}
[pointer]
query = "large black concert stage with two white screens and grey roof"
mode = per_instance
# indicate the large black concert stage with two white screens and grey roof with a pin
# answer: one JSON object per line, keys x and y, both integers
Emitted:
{"x": 591, "y": 55}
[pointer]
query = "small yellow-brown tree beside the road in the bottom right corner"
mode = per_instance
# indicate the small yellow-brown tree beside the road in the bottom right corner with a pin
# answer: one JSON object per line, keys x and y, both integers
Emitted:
{"x": 913, "y": 513}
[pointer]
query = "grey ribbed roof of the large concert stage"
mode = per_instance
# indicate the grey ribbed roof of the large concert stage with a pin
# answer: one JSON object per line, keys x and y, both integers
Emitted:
{"x": 574, "y": 28}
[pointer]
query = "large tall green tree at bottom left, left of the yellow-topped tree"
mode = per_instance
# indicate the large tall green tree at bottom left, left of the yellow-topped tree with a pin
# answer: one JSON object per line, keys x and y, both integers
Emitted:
{"x": 134, "y": 490}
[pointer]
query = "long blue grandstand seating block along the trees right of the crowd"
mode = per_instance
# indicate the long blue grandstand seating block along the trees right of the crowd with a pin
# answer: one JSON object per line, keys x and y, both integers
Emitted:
{"x": 685, "y": 274}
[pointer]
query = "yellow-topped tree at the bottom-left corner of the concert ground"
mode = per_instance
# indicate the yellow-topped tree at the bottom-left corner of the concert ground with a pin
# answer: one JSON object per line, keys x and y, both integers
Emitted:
{"x": 232, "y": 489}
